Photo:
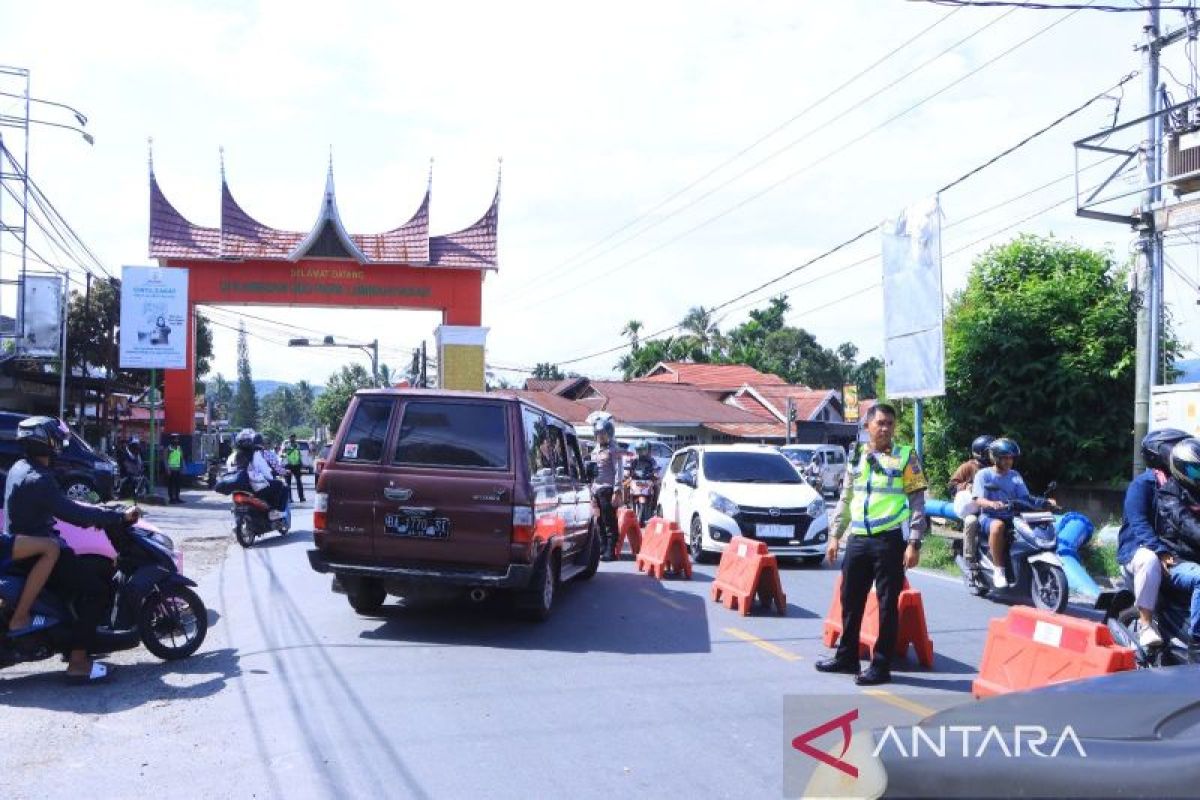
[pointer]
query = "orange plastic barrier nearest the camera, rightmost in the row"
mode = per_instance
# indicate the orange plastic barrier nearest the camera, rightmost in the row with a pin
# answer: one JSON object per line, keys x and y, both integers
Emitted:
{"x": 1035, "y": 648}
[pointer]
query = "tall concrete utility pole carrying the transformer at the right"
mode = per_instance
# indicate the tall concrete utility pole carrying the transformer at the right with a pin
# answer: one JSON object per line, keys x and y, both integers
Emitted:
{"x": 1149, "y": 250}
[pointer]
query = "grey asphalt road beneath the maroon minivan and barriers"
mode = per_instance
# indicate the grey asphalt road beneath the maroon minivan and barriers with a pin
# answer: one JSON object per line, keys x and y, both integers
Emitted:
{"x": 634, "y": 687}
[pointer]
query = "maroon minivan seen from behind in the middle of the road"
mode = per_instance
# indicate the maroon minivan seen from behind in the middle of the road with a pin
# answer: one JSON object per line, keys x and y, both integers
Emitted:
{"x": 469, "y": 490}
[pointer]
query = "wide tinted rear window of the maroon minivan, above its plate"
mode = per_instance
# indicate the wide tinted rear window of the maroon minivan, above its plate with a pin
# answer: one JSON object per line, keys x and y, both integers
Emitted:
{"x": 454, "y": 435}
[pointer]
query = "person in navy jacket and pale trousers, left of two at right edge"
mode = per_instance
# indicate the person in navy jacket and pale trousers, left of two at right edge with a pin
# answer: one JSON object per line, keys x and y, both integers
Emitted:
{"x": 1139, "y": 548}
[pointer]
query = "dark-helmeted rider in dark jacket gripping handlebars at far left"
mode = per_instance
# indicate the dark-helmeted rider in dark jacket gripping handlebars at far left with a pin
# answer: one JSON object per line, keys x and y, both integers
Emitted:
{"x": 34, "y": 501}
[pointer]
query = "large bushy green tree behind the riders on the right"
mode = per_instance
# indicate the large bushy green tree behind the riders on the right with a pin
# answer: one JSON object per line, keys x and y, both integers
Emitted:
{"x": 1040, "y": 346}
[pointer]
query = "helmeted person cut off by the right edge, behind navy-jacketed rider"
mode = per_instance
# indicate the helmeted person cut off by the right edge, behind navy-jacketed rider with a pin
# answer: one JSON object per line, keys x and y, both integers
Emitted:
{"x": 1179, "y": 528}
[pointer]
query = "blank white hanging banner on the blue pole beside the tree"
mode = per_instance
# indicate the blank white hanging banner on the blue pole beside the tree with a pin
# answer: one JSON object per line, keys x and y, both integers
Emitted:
{"x": 914, "y": 347}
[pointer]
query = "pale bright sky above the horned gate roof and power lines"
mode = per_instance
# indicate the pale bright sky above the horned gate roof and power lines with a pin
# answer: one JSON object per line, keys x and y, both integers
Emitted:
{"x": 599, "y": 113}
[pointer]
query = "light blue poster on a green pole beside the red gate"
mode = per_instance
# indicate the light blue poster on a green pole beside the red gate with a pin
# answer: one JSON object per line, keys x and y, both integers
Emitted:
{"x": 154, "y": 318}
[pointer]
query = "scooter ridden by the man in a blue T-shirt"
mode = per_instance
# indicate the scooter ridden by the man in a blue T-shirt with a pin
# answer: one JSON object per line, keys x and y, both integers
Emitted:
{"x": 1034, "y": 570}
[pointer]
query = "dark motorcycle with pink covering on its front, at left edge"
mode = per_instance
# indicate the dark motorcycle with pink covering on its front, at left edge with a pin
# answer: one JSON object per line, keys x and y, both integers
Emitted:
{"x": 152, "y": 601}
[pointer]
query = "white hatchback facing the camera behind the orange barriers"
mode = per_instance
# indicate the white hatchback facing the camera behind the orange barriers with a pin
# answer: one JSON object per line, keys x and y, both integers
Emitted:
{"x": 718, "y": 492}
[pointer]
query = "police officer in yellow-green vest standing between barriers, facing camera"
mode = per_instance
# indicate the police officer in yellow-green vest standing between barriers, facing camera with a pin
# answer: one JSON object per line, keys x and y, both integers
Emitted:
{"x": 884, "y": 507}
